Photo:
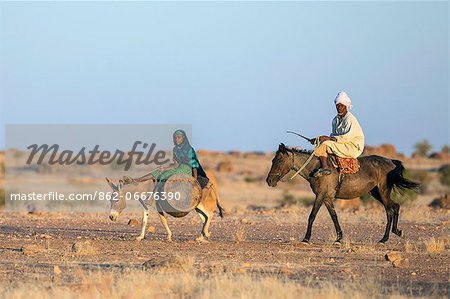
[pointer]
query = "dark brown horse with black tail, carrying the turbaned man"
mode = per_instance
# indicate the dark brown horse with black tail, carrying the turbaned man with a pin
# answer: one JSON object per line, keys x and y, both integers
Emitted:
{"x": 377, "y": 176}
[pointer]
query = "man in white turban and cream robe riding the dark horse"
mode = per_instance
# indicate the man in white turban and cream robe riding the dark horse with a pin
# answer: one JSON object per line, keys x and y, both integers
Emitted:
{"x": 346, "y": 139}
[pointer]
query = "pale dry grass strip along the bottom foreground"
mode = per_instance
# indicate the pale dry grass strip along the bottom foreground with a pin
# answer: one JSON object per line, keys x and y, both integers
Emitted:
{"x": 156, "y": 284}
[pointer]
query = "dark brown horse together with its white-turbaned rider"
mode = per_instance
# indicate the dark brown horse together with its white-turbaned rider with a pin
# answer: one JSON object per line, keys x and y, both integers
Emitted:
{"x": 373, "y": 174}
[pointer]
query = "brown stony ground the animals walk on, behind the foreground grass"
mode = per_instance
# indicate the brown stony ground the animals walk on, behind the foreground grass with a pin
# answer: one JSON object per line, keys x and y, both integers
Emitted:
{"x": 267, "y": 241}
